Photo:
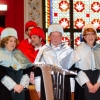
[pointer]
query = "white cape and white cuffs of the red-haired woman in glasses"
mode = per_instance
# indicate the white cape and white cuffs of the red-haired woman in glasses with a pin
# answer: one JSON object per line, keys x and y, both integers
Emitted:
{"x": 90, "y": 60}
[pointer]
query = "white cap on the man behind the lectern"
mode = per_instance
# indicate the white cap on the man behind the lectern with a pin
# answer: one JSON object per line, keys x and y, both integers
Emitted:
{"x": 55, "y": 28}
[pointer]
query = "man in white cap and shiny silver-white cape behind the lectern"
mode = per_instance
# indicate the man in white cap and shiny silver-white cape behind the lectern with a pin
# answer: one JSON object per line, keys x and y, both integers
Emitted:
{"x": 57, "y": 53}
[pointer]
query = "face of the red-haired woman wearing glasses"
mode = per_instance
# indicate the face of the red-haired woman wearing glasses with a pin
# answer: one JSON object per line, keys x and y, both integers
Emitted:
{"x": 90, "y": 38}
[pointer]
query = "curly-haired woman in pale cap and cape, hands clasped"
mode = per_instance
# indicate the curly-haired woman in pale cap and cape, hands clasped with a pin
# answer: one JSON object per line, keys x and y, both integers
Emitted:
{"x": 15, "y": 68}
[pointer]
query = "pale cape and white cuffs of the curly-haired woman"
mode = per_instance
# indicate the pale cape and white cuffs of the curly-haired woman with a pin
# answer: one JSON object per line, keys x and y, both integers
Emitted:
{"x": 9, "y": 59}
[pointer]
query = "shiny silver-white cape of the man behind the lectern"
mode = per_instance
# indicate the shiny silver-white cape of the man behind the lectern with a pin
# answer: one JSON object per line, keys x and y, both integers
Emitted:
{"x": 63, "y": 56}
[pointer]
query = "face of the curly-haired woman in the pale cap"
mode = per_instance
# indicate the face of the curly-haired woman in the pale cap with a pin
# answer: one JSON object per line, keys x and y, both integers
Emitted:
{"x": 11, "y": 44}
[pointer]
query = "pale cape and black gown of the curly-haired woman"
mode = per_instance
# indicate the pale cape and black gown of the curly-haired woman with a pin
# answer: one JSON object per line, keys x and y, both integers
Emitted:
{"x": 7, "y": 70}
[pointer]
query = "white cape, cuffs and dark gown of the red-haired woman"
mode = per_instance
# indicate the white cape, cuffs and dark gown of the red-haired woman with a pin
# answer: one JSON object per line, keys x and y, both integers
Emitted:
{"x": 88, "y": 70}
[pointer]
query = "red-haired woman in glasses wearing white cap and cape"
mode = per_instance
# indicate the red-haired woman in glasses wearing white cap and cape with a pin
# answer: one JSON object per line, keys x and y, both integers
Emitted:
{"x": 87, "y": 85}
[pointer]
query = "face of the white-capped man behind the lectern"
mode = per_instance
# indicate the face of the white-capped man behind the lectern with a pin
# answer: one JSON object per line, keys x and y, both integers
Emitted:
{"x": 55, "y": 38}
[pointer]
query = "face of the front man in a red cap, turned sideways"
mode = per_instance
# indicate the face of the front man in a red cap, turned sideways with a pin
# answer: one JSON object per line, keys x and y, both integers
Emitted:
{"x": 35, "y": 40}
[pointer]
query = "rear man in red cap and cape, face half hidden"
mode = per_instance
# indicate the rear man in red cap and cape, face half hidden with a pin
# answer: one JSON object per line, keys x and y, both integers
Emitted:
{"x": 25, "y": 45}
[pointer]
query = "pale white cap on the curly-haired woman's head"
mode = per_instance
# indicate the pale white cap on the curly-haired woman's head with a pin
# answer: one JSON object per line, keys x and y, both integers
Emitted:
{"x": 8, "y": 32}
